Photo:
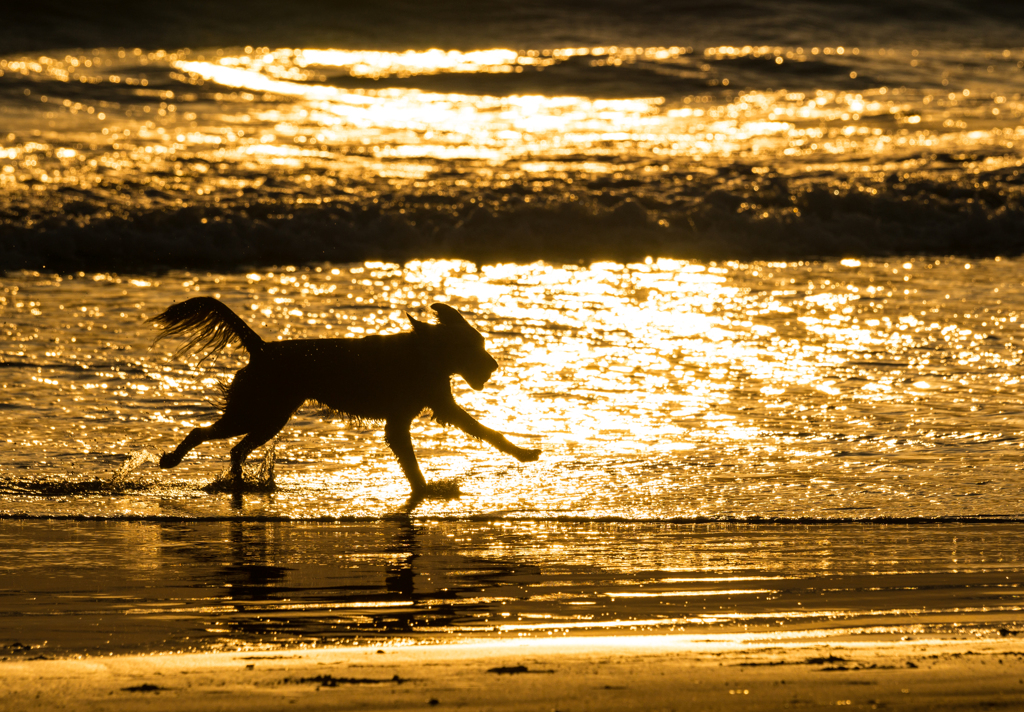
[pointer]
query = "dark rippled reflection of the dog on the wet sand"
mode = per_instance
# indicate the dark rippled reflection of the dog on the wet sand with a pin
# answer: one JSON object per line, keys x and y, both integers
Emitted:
{"x": 357, "y": 584}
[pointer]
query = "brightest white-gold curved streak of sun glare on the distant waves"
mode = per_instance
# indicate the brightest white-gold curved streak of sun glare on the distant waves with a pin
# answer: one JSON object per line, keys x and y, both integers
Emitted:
{"x": 757, "y": 123}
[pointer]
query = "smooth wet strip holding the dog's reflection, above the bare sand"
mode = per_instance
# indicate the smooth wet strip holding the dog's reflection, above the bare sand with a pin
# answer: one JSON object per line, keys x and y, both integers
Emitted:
{"x": 91, "y": 588}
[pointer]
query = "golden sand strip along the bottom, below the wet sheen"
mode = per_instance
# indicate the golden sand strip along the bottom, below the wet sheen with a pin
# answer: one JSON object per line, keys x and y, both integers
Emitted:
{"x": 671, "y": 673}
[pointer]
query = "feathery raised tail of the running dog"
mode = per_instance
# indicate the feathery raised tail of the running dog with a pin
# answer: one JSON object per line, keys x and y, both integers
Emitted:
{"x": 209, "y": 325}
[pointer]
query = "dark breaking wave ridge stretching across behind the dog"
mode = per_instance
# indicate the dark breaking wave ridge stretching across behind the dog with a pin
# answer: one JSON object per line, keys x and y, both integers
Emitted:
{"x": 728, "y": 216}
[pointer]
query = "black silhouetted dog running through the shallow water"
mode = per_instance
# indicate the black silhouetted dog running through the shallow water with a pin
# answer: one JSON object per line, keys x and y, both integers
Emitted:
{"x": 392, "y": 379}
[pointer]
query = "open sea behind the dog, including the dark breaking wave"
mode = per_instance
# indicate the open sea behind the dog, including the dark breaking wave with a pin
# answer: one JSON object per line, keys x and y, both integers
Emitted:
{"x": 249, "y": 135}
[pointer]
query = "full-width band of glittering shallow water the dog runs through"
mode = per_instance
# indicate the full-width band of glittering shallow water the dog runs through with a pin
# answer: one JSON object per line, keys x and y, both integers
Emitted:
{"x": 664, "y": 392}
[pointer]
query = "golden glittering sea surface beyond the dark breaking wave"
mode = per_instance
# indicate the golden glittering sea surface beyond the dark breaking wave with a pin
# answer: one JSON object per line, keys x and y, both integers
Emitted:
{"x": 269, "y": 131}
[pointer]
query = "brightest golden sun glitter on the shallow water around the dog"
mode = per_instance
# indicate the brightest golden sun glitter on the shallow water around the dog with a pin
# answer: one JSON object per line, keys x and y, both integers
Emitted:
{"x": 695, "y": 374}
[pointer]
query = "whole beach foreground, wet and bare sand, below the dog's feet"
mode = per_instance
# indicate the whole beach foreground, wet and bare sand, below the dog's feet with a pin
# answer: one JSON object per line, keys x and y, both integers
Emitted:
{"x": 251, "y": 616}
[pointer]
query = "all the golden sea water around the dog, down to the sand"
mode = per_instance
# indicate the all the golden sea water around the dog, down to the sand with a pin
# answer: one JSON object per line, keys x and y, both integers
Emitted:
{"x": 751, "y": 272}
